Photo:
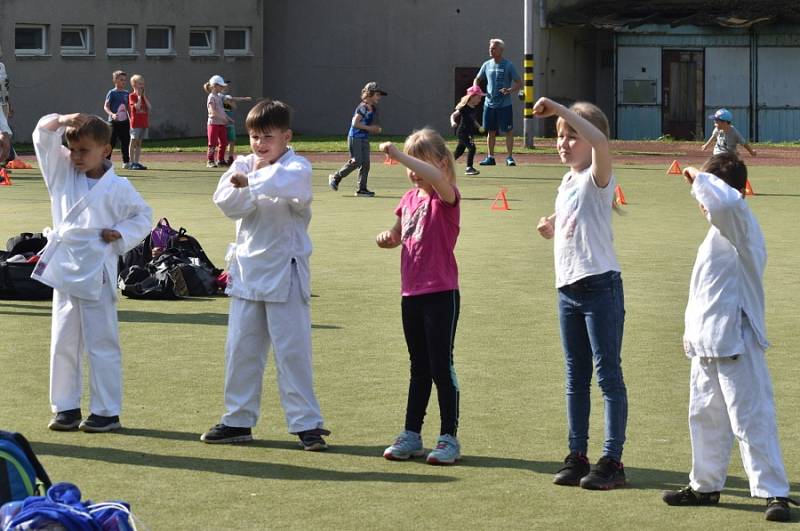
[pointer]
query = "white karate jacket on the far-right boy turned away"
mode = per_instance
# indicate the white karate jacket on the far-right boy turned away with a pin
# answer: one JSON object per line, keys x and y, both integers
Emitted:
{"x": 727, "y": 275}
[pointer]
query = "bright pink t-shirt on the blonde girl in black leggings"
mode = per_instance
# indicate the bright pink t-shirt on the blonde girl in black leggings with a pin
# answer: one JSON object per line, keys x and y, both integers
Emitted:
{"x": 429, "y": 229}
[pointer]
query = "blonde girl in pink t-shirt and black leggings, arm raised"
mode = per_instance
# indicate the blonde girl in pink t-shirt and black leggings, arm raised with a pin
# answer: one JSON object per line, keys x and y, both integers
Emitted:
{"x": 427, "y": 228}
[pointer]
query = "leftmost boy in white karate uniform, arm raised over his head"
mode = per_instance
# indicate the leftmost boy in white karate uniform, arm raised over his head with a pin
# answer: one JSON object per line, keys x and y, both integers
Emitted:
{"x": 97, "y": 216}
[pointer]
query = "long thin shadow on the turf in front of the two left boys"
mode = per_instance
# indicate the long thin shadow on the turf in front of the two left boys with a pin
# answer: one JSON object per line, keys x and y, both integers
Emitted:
{"x": 231, "y": 467}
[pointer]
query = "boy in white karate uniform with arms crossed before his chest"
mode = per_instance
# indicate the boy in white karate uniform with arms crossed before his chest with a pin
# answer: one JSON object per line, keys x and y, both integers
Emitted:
{"x": 268, "y": 194}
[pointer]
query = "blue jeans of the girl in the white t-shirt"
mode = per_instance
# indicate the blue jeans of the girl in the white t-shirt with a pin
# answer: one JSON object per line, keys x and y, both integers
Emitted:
{"x": 592, "y": 316}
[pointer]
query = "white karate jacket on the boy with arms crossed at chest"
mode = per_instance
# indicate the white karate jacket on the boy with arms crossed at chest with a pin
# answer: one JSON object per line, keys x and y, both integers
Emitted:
{"x": 272, "y": 215}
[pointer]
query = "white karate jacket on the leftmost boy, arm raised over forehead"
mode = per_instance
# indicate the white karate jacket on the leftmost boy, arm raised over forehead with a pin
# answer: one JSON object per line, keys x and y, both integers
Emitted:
{"x": 76, "y": 259}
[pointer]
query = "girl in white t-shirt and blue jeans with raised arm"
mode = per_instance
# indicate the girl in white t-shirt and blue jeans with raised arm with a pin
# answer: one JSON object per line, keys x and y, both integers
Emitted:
{"x": 590, "y": 297}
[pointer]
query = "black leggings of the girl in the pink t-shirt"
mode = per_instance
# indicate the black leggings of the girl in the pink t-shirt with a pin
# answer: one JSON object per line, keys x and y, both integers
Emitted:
{"x": 429, "y": 324}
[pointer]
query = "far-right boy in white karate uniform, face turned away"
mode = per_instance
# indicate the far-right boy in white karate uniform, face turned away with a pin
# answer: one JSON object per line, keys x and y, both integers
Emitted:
{"x": 725, "y": 338}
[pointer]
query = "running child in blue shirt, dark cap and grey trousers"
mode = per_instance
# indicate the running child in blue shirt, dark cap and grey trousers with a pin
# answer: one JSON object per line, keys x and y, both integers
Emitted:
{"x": 362, "y": 124}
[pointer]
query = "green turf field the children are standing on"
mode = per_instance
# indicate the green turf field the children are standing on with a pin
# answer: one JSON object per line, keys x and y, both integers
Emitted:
{"x": 508, "y": 359}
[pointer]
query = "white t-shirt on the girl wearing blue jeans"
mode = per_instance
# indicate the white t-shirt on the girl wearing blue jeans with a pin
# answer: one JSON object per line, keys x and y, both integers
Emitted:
{"x": 584, "y": 242}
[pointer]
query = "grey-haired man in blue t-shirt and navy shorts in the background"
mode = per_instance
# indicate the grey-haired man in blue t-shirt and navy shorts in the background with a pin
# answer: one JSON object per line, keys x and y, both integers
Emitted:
{"x": 502, "y": 80}
